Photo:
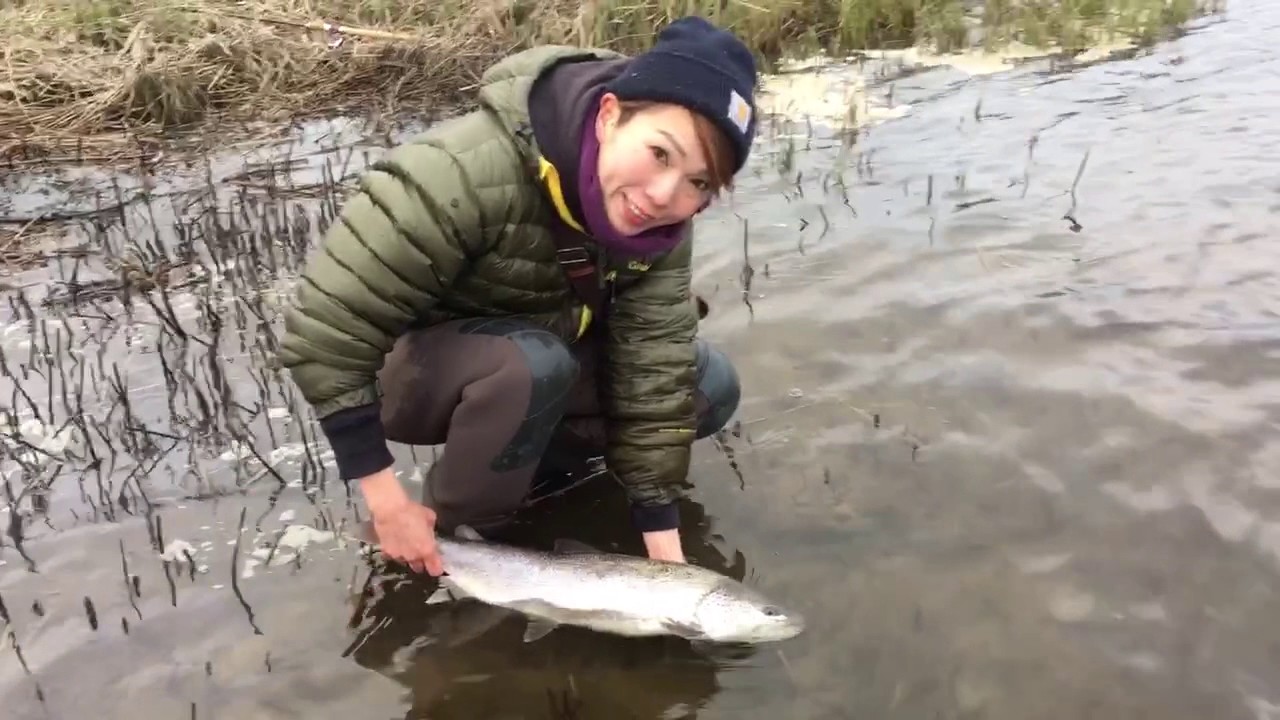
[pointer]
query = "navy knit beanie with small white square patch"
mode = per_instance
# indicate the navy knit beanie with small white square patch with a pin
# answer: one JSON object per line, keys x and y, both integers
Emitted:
{"x": 703, "y": 69}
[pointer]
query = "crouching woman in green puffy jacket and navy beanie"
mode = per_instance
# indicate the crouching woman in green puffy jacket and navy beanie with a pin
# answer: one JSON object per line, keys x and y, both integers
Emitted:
{"x": 524, "y": 272}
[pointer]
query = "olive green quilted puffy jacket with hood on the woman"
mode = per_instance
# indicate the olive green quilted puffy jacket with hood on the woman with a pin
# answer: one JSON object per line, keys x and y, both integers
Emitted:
{"x": 458, "y": 224}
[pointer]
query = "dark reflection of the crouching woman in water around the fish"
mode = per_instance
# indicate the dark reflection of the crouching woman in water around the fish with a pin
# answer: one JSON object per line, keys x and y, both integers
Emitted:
{"x": 469, "y": 660}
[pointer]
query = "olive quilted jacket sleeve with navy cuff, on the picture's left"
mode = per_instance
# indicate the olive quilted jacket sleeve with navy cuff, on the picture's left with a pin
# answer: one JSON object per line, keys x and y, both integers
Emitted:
{"x": 399, "y": 244}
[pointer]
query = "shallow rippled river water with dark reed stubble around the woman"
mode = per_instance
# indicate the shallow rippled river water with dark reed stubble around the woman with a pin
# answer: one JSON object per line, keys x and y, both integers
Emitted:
{"x": 1009, "y": 434}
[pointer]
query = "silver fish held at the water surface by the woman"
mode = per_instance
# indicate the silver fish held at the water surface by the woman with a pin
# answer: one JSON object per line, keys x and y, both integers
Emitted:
{"x": 609, "y": 593}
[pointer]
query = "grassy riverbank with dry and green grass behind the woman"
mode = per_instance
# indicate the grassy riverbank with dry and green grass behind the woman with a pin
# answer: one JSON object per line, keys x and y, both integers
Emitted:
{"x": 103, "y": 80}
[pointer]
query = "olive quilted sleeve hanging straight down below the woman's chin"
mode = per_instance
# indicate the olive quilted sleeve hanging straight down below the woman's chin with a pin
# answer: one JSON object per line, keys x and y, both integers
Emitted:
{"x": 650, "y": 377}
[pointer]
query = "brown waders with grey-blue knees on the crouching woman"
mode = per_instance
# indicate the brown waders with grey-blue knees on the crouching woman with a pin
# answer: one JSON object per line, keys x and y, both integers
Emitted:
{"x": 511, "y": 402}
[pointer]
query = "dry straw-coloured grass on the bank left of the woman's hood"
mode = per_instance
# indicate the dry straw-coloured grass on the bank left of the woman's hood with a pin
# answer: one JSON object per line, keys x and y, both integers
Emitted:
{"x": 76, "y": 70}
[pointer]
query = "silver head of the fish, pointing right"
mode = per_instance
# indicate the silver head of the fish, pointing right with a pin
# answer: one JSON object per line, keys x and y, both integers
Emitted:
{"x": 735, "y": 613}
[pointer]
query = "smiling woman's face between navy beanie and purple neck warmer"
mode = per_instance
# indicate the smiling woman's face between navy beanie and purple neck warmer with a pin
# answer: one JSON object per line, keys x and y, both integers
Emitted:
{"x": 652, "y": 167}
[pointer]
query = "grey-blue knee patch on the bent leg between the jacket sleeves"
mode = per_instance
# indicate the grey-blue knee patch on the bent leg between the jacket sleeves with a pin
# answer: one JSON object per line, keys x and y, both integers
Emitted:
{"x": 552, "y": 372}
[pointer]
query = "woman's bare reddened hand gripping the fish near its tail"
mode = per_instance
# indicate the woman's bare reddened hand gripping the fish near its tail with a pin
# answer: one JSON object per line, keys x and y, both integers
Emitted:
{"x": 406, "y": 530}
